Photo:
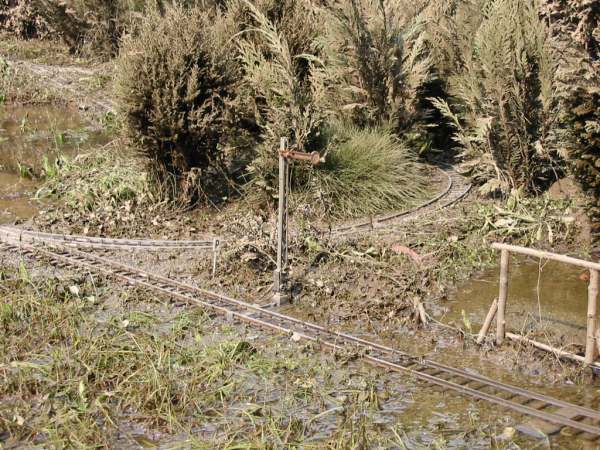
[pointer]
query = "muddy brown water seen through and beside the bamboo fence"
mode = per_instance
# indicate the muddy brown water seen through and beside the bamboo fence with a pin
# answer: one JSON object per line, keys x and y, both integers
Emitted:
{"x": 543, "y": 296}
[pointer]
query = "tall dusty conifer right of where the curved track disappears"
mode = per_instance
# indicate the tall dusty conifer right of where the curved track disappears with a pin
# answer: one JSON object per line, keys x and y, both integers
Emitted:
{"x": 503, "y": 102}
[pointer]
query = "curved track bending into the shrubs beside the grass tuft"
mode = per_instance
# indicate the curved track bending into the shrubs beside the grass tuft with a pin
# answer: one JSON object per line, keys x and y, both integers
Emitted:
{"x": 455, "y": 189}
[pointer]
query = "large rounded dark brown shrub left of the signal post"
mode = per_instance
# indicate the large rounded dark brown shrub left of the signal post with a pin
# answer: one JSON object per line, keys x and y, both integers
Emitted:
{"x": 177, "y": 84}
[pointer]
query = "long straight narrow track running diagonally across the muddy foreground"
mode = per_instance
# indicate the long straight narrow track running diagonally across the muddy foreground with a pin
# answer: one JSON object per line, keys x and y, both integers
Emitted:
{"x": 582, "y": 422}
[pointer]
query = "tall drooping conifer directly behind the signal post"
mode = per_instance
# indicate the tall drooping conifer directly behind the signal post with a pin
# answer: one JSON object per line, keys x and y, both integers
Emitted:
{"x": 283, "y": 79}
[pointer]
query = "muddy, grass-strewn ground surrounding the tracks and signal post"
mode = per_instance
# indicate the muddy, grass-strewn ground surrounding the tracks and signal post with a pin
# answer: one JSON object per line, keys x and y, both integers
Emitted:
{"x": 93, "y": 363}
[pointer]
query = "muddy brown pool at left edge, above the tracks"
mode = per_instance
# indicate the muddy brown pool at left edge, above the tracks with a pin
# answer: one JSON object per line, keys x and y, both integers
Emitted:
{"x": 32, "y": 137}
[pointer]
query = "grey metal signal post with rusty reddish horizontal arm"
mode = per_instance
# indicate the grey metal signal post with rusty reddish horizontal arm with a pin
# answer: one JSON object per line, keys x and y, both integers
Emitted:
{"x": 280, "y": 274}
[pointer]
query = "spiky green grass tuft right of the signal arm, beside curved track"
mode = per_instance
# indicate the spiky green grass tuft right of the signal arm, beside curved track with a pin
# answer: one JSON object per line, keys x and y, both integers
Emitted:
{"x": 368, "y": 171}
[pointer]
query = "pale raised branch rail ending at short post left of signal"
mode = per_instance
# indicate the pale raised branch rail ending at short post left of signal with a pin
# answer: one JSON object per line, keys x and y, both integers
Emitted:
{"x": 26, "y": 236}
